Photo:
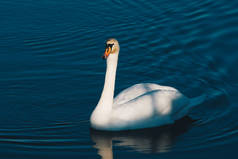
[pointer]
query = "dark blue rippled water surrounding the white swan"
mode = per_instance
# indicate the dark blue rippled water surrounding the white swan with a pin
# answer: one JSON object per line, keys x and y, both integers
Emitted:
{"x": 51, "y": 75}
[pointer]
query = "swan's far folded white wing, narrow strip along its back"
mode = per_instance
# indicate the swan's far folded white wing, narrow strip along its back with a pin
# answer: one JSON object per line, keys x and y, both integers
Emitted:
{"x": 136, "y": 91}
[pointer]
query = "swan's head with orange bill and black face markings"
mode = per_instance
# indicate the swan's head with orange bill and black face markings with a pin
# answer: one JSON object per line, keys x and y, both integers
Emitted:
{"x": 112, "y": 47}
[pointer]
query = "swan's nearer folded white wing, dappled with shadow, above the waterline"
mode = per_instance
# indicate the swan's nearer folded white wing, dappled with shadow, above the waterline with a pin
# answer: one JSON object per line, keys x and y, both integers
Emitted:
{"x": 154, "y": 108}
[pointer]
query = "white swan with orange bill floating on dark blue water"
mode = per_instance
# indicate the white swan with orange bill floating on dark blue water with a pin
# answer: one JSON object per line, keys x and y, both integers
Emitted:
{"x": 143, "y": 105}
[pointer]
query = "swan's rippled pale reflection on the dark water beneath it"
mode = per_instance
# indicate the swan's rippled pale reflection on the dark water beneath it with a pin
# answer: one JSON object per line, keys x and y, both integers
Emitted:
{"x": 154, "y": 140}
